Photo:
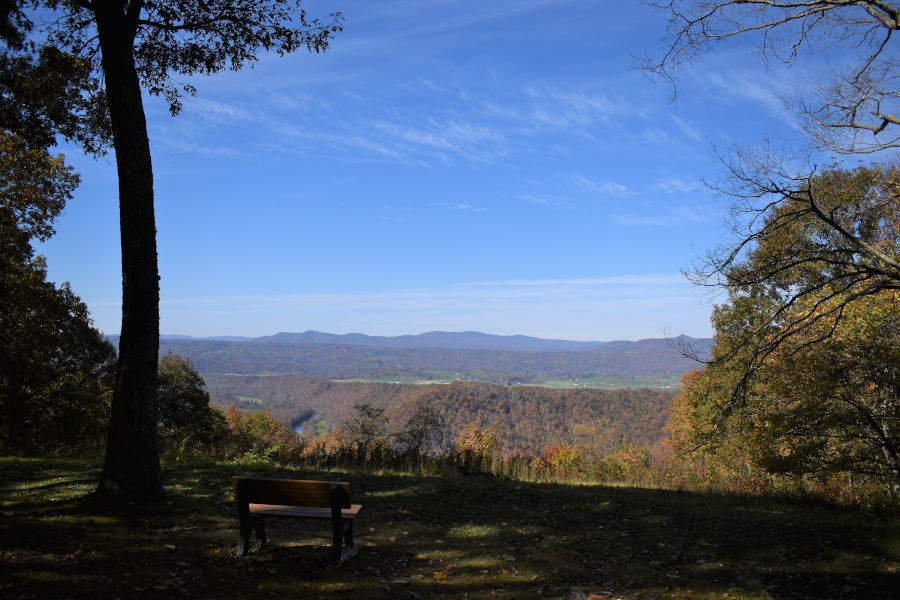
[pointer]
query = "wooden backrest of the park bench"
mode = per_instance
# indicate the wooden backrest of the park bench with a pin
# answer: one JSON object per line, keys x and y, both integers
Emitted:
{"x": 291, "y": 492}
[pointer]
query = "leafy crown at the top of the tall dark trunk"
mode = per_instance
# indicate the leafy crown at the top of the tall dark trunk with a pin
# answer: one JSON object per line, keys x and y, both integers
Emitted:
{"x": 169, "y": 39}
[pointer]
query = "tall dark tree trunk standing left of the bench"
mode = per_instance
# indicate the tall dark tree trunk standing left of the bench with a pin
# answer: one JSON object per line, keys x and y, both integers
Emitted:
{"x": 131, "y": 467}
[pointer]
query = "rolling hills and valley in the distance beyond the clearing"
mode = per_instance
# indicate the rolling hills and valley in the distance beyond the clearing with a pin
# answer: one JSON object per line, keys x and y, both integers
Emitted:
{"x": 614, "y": 392}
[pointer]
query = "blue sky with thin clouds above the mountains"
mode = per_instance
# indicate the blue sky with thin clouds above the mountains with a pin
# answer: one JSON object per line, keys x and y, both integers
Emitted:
{"x": 494, "y": 166}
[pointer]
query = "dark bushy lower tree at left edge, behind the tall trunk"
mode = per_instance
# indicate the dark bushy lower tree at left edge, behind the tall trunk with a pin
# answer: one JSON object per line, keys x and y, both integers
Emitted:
{"x": 55, "y": 370}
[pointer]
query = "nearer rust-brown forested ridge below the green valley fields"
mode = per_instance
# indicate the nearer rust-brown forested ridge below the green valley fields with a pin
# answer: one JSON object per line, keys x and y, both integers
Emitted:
{"x": 525, "y": 418}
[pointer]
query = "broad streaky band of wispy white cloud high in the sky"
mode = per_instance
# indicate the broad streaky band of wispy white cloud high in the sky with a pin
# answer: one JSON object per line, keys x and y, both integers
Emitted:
{"x": 424, "y": 121}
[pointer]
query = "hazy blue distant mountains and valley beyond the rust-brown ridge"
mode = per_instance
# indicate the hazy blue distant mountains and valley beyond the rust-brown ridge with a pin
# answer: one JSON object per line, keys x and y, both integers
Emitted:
{"x": 443, "y": 356}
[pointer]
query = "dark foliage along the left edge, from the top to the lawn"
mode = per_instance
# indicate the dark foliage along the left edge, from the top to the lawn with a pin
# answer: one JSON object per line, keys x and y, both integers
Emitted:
{"x": 55, "y": 371}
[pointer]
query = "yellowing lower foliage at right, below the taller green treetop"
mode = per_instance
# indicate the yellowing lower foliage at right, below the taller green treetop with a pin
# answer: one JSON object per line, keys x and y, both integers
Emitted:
{"x": 825, "y": 409}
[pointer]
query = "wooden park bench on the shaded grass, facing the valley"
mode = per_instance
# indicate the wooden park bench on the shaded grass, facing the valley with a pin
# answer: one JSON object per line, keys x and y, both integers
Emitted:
{"x": 259, "y": 498}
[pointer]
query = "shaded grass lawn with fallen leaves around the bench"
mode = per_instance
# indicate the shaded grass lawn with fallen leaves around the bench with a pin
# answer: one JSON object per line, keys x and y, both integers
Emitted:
{"x": 419, "y": 538}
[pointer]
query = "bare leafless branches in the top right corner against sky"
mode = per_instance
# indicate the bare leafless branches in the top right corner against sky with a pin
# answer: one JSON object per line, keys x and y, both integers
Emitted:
{"x": 862, "y": 99}
